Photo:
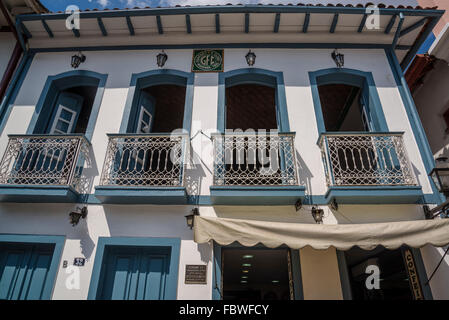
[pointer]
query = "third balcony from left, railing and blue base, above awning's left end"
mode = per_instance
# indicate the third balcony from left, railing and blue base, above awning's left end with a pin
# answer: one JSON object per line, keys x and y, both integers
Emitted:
{"x": 255, "y": 169}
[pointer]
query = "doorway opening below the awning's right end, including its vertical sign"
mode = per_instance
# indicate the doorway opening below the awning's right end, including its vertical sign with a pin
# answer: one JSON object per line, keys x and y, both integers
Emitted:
{"x": 397, "y": 279}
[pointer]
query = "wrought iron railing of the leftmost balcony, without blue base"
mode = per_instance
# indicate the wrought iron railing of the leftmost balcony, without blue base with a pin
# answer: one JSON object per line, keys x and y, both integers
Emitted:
{"x": 44, "y": 160}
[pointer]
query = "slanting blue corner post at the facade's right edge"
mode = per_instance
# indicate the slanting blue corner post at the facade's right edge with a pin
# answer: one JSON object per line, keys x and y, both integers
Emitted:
{"x": 415, "y": 122}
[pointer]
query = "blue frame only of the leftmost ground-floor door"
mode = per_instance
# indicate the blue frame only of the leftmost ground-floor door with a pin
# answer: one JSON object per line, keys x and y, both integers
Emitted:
{"x": 45, "y": 290}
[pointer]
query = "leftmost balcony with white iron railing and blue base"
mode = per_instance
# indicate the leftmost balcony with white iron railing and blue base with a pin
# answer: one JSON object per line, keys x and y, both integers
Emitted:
{"x": 43, "y": 168}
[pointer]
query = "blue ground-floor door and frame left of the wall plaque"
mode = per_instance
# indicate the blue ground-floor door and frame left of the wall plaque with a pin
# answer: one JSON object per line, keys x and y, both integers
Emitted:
{"x": 124, "y": 266}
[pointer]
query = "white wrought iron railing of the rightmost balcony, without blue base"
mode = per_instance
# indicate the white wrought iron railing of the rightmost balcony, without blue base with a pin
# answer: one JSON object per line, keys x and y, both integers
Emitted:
{"x": 366, "y": 159}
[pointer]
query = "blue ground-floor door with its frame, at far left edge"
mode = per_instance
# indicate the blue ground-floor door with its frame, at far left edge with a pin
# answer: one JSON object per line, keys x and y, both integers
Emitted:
{"x": 28, "y": 265}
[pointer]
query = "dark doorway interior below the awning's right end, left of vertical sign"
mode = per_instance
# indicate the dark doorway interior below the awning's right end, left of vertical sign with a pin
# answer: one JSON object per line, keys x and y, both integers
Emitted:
{"x": 394, "y": 280}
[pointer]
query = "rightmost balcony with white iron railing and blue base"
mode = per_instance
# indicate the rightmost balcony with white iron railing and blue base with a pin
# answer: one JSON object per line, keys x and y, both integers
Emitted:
{"x": 368, "y": 168}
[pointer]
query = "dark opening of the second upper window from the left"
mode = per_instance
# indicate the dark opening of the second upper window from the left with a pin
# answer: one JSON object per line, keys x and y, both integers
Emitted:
{"x": 169, "y": 107}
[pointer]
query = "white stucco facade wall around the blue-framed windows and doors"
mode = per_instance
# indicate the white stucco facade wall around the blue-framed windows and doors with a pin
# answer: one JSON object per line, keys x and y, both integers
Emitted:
{"x": 168, "y": 221}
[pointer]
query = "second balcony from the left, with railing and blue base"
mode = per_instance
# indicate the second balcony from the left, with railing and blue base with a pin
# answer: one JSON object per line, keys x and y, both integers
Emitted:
{"x": 144, "y": 168}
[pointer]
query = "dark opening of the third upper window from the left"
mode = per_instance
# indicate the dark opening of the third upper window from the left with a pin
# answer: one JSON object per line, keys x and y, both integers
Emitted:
{"x": 251, "y": 106}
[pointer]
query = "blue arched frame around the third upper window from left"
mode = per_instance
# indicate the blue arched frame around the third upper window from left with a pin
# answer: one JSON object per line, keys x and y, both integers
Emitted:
{"x": 253, "y": 75}
